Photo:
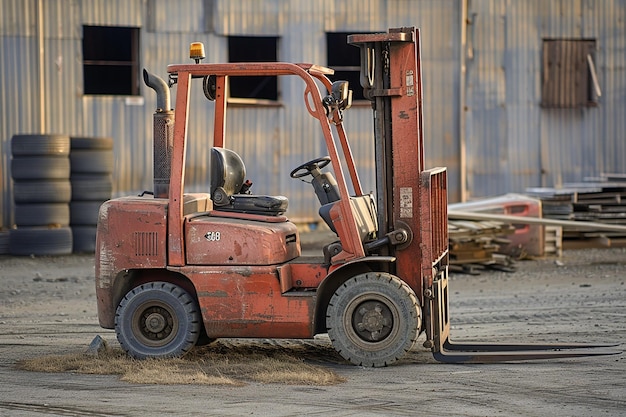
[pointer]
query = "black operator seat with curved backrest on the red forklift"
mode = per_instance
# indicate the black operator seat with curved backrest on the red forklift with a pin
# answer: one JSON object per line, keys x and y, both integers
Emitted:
{"x": 229, "y": 189}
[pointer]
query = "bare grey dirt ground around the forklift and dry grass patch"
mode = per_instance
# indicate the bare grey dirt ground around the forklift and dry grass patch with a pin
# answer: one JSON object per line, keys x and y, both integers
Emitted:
{"x": 47, "y": 306}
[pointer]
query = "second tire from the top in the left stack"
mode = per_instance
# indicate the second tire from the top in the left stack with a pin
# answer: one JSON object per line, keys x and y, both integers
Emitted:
{"x": 40, "y": 168}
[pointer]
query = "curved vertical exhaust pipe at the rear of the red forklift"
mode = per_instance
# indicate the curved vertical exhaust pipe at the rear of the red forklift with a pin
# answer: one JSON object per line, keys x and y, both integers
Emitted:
{"x": 163, "y": 135}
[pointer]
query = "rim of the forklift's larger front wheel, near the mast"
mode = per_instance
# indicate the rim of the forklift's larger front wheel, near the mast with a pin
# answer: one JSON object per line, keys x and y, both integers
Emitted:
{"x": 369, "y": 321}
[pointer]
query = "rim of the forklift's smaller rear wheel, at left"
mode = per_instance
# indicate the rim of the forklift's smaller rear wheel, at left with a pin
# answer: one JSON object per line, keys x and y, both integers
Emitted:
{"x": 154, "y": 324}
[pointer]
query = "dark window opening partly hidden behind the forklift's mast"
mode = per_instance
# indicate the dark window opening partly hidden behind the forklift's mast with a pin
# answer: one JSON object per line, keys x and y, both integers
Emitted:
{"x": 345, "y": 59}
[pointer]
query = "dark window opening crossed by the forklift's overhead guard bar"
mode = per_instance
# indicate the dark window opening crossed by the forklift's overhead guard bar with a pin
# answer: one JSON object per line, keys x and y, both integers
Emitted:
{"x": 253, "y": 49}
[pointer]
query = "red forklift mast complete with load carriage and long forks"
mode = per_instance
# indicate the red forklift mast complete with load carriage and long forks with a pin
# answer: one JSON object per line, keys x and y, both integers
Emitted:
{"x": 412, "y": 201}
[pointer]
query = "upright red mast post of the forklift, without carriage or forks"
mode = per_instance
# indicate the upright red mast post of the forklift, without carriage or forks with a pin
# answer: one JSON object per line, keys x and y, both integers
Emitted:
{"x": 396, "y": 93}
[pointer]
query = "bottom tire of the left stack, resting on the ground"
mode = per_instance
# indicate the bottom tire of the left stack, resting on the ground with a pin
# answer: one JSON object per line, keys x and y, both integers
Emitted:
{"x": 40, "y": 241}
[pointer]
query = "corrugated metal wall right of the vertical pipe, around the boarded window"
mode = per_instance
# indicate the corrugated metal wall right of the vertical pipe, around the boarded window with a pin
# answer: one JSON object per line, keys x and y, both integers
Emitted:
{"x": 512, "y": 142}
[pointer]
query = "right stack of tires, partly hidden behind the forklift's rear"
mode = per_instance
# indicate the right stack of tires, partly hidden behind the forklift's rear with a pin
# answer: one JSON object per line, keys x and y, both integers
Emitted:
{"x": 91, "y": 170}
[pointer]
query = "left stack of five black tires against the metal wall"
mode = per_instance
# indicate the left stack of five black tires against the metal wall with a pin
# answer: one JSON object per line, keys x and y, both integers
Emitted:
{"x": 40, "y": 169}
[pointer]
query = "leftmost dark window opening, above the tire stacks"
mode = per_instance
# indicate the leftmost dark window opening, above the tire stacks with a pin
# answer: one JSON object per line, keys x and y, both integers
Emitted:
{"x": 111, "y": 60}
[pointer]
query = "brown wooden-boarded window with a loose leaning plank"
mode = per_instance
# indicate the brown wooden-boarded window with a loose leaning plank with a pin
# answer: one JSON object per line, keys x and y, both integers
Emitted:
{"x": 569, "y": 77}
